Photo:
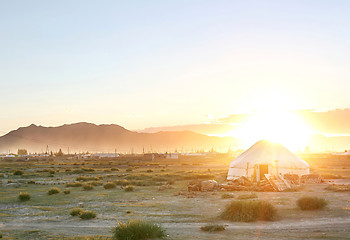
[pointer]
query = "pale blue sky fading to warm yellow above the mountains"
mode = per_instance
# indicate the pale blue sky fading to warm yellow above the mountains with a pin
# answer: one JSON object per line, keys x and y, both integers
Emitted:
{"x": 159, "y": 63}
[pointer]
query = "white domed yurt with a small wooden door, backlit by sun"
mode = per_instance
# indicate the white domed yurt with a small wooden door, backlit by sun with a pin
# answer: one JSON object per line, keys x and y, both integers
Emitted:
{"x": 265, "y": 157}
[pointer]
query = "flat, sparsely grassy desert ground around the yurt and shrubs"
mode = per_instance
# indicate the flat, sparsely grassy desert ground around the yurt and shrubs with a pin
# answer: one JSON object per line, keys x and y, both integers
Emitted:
{"x": 160, "y": 195}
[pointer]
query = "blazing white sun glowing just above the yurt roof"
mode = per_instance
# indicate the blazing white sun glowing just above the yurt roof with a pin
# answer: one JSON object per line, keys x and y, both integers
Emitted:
{"x": 284, "y": 127}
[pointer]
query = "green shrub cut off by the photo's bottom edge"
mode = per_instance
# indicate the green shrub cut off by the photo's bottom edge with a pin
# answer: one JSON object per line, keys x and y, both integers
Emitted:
{"x": 138, "y": 230}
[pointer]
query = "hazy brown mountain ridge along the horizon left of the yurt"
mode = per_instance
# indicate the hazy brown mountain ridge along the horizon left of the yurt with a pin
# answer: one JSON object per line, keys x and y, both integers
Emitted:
{"x": 80, "y": 137}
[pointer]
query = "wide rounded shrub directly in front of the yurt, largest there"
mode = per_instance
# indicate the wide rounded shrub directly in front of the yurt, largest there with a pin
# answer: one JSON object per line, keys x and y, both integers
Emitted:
{"x": 249, "y": 211}
